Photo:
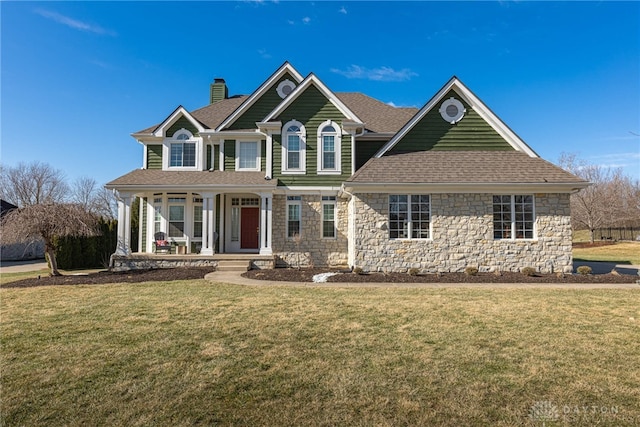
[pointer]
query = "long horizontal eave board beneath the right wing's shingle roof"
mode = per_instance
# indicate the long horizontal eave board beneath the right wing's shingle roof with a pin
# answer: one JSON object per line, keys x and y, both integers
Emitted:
{"x": 494, "y": 188}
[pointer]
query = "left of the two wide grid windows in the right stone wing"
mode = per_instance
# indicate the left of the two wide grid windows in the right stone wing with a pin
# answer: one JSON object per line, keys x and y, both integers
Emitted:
{"x": 409, "y": 216}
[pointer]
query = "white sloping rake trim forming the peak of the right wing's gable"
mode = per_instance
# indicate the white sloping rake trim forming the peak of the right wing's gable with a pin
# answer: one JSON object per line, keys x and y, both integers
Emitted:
{"x": 478, "y": 106}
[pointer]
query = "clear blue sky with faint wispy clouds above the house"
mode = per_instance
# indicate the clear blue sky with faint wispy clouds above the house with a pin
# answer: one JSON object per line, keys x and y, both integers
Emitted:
{"x": 79, "y": 77}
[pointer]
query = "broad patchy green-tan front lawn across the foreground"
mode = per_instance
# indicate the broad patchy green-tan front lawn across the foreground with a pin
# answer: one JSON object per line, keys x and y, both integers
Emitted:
{"x": 196, "y": 353}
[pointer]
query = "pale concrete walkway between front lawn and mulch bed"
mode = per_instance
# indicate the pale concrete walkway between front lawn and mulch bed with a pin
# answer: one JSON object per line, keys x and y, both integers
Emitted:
{"x": 234, "y": 277}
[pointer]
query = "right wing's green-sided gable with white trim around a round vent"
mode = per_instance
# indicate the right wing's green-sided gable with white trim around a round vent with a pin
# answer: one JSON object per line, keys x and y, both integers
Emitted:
{"x": 479, "y": 129}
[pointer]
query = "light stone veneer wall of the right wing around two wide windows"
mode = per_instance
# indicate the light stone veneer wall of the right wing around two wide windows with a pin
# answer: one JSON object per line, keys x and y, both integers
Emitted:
{"x": 462, "y": 236}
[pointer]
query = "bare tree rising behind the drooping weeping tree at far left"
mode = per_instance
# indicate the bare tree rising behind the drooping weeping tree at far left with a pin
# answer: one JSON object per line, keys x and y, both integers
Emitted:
{"x": 32, "y": 183}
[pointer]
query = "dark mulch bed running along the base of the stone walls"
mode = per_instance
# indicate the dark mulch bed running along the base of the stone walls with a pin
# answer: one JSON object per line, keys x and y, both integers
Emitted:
{"x": 306, "y": 275}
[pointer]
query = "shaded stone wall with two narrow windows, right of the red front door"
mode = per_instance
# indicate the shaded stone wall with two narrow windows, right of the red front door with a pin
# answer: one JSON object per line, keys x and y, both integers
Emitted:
{"x": 313, "y": 250}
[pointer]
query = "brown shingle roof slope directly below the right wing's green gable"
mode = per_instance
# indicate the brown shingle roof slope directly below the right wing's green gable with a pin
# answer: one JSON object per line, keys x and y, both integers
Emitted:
{"x": 462, "y": 167}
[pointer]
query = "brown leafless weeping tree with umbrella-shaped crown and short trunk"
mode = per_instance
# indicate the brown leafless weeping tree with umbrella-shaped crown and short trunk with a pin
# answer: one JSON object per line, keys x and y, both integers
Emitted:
{"x": 47, "y": 222}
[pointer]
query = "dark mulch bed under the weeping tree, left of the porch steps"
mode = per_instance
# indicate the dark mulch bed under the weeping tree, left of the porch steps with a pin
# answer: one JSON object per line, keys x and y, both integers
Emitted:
{"x": 103, "y": 277}
